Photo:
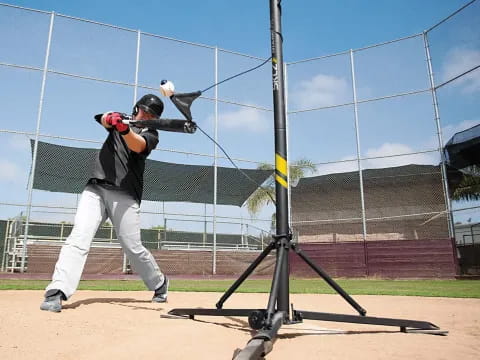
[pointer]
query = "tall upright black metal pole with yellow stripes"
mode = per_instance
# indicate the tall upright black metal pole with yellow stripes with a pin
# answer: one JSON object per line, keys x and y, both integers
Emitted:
{"x": 281, "y": 164}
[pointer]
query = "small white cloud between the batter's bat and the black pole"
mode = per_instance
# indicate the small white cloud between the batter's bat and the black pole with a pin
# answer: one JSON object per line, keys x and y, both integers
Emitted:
{"x": 248, "y": 119}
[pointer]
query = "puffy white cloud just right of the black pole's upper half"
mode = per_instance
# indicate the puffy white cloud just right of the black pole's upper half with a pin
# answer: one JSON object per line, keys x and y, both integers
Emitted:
{"x": 321, "y": 90}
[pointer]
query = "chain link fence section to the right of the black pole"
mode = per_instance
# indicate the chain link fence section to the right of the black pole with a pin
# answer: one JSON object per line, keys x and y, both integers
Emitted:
{"x": 381, "y": 116}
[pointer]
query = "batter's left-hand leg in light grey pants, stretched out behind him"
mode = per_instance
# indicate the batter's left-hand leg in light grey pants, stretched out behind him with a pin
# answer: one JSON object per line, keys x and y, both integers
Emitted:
{"x": 73, "y": 255}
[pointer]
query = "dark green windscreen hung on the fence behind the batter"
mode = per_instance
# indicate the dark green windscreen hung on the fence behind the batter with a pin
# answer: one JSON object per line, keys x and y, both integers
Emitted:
{"x": 67, "y": 169}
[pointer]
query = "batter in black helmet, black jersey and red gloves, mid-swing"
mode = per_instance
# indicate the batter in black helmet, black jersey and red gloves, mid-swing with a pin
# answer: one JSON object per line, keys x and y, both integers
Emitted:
{"x": 114, "y": 191}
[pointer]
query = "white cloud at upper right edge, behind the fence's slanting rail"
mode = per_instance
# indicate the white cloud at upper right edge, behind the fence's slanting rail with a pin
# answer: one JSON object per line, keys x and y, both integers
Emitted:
{"x": 457, "y": 62}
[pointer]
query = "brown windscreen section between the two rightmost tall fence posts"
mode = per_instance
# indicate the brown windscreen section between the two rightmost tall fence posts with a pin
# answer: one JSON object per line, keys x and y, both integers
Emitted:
{"x": 405, "y": 203}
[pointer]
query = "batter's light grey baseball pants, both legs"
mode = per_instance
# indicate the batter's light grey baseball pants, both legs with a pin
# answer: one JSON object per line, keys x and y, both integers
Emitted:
{"x": 98, "y": 202}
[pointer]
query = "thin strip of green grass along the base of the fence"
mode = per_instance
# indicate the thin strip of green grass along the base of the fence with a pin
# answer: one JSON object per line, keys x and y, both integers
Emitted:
{"x": 434, "y": 288}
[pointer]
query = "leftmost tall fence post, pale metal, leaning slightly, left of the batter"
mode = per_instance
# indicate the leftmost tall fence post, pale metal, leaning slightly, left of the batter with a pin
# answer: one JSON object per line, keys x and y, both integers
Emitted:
{"x": 35, "y": 147}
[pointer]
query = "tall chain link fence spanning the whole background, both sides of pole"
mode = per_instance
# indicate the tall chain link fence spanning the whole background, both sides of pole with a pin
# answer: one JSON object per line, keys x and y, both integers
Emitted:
{"x": 373, "y": 121}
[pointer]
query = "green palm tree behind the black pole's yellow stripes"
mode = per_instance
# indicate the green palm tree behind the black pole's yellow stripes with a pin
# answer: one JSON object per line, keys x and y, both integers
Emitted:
{"x": 264, "y": 195}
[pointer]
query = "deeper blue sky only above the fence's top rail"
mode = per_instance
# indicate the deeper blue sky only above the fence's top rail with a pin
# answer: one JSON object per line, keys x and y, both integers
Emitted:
{"x": 311, "y": 27}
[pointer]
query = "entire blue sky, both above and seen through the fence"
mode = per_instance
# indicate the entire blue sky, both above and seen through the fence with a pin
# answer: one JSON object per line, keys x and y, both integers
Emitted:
{"x": 310, "y": 29}
